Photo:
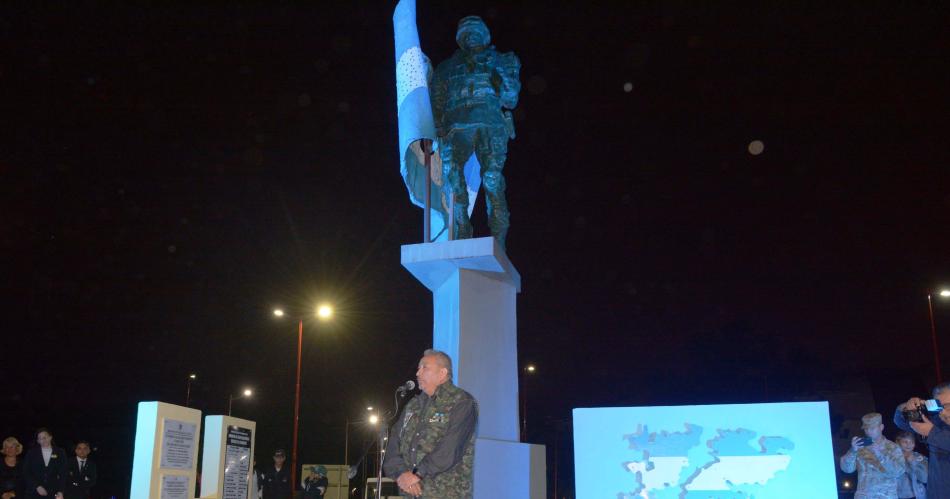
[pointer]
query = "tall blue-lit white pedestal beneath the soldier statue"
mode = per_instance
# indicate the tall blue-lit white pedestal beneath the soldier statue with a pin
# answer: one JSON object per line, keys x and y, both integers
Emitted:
{"x": 474, "y": 292}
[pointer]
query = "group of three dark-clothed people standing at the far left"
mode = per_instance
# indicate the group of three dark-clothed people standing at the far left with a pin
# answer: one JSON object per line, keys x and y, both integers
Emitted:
{"x": 46, "y": 471}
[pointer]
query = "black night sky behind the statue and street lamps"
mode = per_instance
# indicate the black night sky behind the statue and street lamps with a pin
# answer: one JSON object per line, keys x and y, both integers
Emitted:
{"x": 170, "y": 174}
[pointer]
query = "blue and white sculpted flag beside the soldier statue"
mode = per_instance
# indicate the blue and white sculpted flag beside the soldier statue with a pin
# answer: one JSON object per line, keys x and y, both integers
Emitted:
{"x": 414, "y": 109}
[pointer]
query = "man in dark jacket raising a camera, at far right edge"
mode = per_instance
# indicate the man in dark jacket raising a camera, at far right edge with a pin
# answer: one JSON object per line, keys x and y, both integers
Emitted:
{"x": 934, "y": 427}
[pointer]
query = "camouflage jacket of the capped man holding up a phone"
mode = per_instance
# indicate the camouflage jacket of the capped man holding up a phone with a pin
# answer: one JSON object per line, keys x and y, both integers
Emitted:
{"x": 880, "y": 468}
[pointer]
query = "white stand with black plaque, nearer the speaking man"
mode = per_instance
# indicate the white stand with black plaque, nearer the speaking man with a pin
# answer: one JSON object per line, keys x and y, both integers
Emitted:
{"x": 228, "y": 459}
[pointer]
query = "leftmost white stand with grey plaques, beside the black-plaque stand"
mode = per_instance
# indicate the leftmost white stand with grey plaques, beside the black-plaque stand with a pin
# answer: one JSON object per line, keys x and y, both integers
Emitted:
{"x": 166, "y": 451}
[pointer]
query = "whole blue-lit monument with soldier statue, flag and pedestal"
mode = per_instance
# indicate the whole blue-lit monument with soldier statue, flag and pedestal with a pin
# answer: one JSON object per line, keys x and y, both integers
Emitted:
{"x": 452, "y": 141}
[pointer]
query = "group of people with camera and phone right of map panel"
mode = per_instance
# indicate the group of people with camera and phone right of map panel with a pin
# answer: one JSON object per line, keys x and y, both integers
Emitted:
{"x": 894, "y": 470}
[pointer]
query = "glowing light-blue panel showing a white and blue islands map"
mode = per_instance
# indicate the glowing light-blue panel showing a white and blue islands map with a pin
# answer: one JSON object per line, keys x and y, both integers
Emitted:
{"x": 779, "y": 450}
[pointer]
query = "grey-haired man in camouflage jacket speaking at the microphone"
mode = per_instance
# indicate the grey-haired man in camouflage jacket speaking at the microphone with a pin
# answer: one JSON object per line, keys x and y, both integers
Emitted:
{"x": 431, "y": 450}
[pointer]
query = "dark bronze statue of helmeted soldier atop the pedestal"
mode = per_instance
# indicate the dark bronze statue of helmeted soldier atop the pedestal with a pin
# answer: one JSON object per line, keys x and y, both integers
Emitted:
{"x": 472, "y": 95}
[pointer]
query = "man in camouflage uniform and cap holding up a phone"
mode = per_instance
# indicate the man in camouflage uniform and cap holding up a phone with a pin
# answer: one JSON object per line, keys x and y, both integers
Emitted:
{"x": 879, "y": 462}
